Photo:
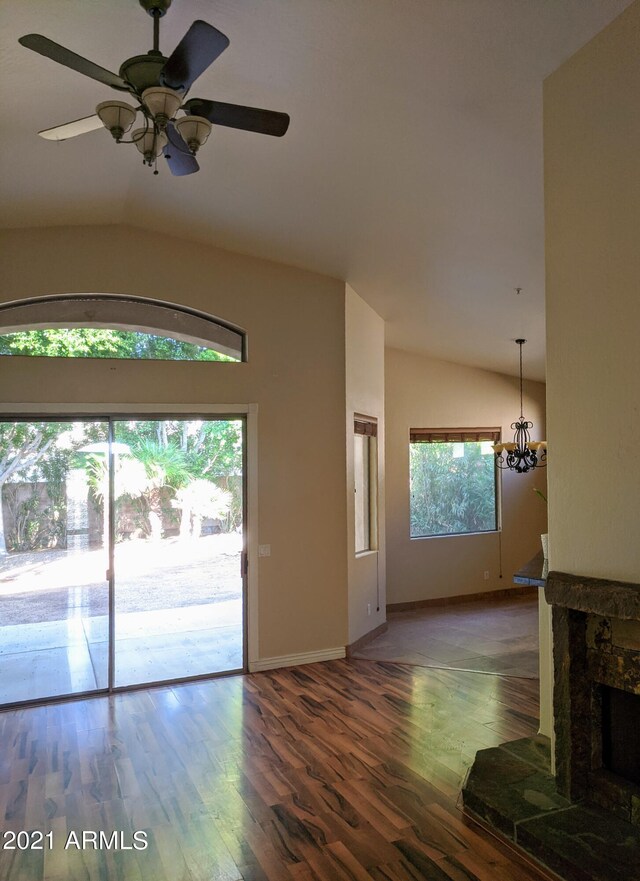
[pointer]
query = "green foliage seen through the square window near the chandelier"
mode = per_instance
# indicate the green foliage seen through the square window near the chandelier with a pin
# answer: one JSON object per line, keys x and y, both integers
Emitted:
{"x": 451, "y": 493}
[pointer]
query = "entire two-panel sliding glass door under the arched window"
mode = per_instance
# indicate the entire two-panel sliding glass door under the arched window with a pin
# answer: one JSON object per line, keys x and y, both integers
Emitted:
{"x": 121, "y": 549}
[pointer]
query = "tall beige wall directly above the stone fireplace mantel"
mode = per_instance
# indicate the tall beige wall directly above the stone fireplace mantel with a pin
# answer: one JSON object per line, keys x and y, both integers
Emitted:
{"x": 592, "y": 203}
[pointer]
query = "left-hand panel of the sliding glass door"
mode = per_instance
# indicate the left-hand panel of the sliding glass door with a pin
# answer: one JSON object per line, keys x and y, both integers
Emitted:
{"x": 54, "y": 596}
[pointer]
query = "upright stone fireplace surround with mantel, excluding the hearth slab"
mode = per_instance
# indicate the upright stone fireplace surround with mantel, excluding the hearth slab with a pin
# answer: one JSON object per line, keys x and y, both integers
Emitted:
{"x": 596, "y": 635}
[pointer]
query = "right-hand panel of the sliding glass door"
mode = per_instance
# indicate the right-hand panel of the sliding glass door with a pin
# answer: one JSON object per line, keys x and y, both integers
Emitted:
{"x": 178, "y": 494}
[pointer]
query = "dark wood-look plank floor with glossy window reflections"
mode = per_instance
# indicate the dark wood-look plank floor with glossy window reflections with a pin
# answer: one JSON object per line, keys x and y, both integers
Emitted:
{"x": 340, "y": 771}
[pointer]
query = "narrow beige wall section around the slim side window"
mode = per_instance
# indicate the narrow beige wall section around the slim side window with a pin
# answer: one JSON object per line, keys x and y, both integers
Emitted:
{"x": 365, "y": 396}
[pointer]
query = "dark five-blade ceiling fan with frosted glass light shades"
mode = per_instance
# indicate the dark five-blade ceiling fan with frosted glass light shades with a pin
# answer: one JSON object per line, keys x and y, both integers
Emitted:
{"x": 159, "y": 86}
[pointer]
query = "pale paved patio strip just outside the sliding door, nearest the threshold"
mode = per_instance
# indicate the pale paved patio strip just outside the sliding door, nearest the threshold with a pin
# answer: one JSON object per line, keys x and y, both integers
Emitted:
{"x": 62, "y": 657}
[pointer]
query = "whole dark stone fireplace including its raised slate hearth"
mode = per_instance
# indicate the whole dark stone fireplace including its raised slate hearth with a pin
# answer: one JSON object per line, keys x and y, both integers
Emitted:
{"x": 583, "y": 823}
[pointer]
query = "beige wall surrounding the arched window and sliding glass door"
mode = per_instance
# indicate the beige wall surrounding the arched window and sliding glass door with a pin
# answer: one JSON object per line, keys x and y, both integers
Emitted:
{"x": 295, "y": 374}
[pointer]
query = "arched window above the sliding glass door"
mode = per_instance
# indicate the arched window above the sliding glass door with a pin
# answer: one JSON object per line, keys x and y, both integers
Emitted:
{"x": 111, "y": 326}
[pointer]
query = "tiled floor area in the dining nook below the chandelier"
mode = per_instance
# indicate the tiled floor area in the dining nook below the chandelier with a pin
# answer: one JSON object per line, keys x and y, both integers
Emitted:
{"x": 487, "y": 636}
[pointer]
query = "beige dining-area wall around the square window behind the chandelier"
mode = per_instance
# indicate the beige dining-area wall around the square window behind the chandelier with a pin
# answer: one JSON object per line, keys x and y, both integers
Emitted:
{"x": 422, "y": 392}
